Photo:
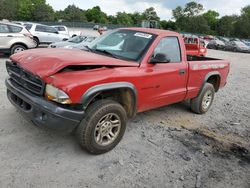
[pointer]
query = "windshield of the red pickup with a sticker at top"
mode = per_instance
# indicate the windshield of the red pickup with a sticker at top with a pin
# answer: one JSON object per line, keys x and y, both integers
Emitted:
{"x": 123, "y": 44}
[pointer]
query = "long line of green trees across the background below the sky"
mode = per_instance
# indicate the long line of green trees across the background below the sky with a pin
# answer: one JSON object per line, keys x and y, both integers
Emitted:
{"x": 190, "y": 18}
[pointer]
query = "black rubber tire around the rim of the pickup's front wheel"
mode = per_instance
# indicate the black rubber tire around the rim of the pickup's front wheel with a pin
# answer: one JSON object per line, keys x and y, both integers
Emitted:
{"x": 86, "y": 132}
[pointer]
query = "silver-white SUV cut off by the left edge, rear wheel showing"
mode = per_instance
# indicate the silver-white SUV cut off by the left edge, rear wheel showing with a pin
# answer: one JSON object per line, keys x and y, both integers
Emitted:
{"x": 14, "y": 38}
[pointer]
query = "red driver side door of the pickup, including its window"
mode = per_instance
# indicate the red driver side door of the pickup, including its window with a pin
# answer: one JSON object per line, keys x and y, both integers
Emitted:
{"x": 165, "y": 82}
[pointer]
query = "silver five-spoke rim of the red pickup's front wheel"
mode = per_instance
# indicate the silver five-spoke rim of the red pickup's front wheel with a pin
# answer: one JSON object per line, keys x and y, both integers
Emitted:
{"x": 107, "y": 129}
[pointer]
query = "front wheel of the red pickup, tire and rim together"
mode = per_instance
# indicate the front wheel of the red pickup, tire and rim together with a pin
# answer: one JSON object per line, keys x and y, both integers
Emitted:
{"x": 103, "y": 126}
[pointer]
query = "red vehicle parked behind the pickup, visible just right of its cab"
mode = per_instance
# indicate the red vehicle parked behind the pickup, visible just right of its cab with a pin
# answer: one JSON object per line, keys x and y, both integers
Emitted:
{"x": 195, "y": 46}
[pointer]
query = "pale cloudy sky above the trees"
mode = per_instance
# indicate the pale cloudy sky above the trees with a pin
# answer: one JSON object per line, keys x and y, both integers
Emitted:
{"x": 163, "y": 7}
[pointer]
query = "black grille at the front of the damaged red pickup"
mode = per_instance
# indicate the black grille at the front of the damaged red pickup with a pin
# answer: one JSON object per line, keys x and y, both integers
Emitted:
{"x": 25, "y": 79}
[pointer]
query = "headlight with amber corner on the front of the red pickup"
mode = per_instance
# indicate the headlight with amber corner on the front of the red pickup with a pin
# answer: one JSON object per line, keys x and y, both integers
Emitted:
{"x": 57, "y": 95}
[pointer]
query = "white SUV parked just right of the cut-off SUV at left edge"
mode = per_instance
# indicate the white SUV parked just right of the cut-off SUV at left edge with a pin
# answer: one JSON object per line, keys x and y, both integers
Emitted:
{"x": 44, "y": 34}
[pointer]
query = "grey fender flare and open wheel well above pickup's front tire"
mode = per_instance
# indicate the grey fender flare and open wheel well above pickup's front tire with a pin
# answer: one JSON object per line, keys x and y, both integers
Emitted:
{"x": 123, "y": 92}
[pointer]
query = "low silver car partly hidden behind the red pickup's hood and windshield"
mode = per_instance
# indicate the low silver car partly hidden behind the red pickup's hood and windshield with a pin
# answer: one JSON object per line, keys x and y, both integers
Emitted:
{"x": 77, "y": 42}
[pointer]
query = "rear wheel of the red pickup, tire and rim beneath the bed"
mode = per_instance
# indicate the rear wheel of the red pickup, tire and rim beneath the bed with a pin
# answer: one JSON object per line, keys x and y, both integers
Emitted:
{"x": 198, "y": 104}
